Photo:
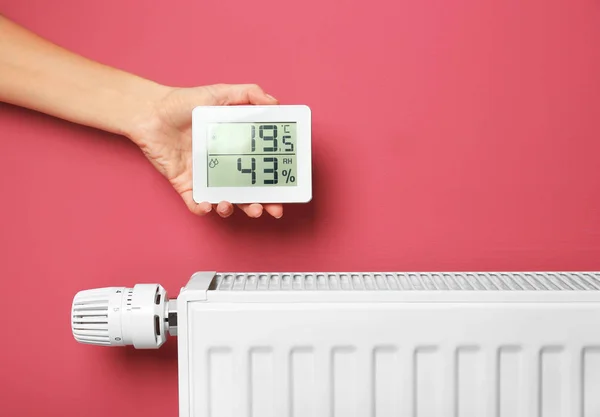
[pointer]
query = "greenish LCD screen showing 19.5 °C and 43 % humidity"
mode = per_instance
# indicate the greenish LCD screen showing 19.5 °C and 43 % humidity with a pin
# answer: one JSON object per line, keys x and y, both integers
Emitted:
{"x": 251, "y": 154}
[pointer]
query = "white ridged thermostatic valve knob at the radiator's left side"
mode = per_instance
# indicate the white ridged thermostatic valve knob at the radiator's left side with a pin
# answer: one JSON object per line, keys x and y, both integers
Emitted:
{"x": 119, "y": 316}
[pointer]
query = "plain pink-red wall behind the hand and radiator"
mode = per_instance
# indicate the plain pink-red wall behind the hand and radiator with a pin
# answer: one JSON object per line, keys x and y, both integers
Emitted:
{"x": 457, "y": 135}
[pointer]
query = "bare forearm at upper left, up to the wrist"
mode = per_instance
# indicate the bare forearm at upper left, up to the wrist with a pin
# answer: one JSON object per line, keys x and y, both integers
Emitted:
{"x": 42, "y": 76}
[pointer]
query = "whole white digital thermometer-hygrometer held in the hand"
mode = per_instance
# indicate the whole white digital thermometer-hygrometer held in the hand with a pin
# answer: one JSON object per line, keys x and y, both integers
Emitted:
{"x": 252, "y": 154}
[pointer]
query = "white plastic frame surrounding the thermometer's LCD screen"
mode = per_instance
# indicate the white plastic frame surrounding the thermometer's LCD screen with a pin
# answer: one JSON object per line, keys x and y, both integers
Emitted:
{"x": 300, "y": 114}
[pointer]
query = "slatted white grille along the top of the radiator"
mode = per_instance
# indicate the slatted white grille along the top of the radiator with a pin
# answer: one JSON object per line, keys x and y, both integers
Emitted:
{"x": 419, "y": 281}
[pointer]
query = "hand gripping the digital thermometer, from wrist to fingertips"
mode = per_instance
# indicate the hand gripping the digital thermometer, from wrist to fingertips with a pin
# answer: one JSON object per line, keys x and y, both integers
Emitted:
{"x": 164, "y": 136}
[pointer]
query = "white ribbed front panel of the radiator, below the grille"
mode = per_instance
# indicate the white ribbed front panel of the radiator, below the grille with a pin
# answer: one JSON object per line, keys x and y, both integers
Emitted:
{"x": 396, "y": 359}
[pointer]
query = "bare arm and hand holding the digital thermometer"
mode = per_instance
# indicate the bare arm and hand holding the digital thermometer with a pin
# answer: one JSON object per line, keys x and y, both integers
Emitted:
{"x": 39, "y": 75}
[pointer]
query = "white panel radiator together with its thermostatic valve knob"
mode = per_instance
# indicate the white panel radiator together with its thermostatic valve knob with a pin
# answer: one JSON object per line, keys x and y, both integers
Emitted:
{"x": 372, "y": 344}
